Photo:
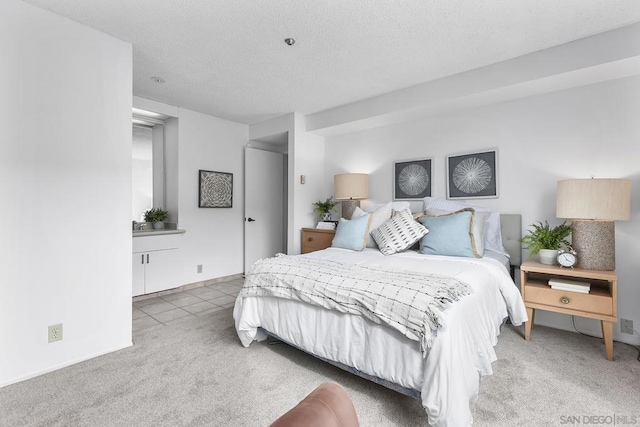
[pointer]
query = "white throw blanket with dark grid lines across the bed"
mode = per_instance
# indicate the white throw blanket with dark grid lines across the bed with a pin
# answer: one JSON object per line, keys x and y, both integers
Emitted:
{"x": 410, "y": 302}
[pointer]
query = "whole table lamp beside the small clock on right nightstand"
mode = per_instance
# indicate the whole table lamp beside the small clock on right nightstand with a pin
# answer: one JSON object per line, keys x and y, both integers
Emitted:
{"x": 593, "y": 205}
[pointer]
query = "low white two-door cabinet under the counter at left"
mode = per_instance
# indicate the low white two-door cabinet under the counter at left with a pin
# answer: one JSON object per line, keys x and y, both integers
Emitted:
{"x": 156, "y": 264}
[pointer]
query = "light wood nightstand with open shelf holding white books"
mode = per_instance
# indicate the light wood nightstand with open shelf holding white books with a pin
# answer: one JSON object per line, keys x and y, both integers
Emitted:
{"x": 600, "y": 303}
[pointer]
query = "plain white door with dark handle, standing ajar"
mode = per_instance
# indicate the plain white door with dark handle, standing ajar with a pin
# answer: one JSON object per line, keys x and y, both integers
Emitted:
{"x": 263, "y": 205}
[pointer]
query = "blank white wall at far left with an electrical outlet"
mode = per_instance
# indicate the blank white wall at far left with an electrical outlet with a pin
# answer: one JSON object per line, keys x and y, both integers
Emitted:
{"x": 65, "y": 191}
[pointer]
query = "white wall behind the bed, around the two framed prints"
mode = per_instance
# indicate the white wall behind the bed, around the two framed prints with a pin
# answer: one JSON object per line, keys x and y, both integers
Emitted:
{"x": 575, "y": 133}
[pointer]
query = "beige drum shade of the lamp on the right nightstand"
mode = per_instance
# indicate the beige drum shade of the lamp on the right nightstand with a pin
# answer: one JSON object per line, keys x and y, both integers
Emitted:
{"x": 597, "y": 199}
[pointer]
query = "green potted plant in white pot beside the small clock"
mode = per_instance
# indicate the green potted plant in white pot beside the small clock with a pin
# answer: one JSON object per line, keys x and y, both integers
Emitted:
{"x": 546, "y": 241}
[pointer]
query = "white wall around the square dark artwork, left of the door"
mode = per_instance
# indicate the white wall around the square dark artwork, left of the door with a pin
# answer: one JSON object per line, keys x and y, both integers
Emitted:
{"x": 214, "y": 236}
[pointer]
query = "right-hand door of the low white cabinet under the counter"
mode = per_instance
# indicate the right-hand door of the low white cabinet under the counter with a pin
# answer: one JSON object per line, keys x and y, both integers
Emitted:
{"x": 163, "y": 271}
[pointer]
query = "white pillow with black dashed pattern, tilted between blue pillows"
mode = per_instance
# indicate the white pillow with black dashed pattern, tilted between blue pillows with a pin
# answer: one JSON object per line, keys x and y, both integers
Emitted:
{"x": 398, "y": 233}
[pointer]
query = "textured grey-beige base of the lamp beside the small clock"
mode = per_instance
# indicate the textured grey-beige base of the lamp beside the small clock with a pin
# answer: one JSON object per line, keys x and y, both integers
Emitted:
{"x": 595, "y": 244}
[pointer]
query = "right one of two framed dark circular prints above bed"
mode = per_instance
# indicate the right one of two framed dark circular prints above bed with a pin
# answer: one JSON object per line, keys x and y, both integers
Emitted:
{"x": 473, "y": 175}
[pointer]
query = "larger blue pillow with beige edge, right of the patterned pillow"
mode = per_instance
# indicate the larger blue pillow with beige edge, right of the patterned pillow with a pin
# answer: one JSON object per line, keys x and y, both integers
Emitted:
{"x": 448, "y": 234}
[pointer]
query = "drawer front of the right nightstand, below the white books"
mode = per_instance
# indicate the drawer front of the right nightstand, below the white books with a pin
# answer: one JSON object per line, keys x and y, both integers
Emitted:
{"x": 598, "y": 301}
